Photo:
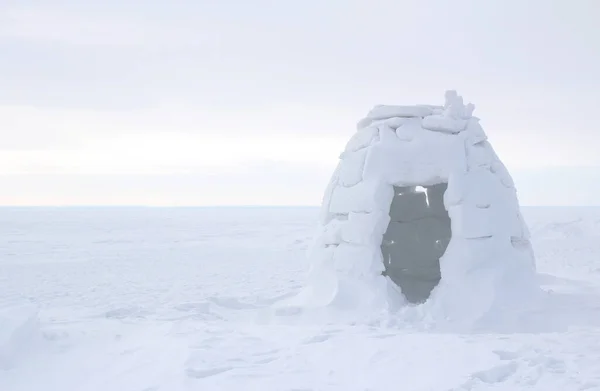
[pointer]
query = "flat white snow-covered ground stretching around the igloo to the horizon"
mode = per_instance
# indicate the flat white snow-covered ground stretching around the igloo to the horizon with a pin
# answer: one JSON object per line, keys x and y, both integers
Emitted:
{"x": 138, "y": 299}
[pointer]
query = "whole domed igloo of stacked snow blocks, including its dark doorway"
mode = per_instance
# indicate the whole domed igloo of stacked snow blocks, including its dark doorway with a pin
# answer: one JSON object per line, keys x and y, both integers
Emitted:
{"x": 420, "y": 209}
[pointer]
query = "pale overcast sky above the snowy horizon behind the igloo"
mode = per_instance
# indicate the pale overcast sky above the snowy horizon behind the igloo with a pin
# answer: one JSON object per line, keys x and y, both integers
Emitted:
{"x": 197, "y": 102}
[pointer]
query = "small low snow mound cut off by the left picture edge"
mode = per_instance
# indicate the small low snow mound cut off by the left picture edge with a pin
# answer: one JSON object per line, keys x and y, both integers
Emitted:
{"x": 18, "y": 329}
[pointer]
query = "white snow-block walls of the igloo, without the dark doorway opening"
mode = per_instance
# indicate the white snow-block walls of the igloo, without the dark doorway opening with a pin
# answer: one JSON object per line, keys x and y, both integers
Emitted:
{"x": 489, "y": 252}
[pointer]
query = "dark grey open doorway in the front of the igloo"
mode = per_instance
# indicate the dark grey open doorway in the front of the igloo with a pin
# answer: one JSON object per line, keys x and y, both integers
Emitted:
{"x": 416, "y": 238}
